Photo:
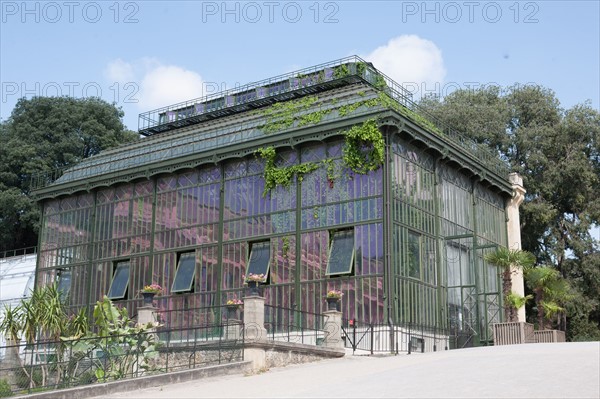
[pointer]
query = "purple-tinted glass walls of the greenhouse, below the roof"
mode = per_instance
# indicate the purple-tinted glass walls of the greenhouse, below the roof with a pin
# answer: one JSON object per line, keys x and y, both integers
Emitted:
{"x": 405, "y": 242}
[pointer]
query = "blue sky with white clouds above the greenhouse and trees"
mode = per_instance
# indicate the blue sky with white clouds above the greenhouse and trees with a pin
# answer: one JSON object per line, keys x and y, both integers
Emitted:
{"x": 148, "y": 54}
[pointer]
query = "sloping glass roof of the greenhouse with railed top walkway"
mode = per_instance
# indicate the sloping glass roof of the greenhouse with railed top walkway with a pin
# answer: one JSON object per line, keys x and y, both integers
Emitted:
{"x": 237, "y": 116}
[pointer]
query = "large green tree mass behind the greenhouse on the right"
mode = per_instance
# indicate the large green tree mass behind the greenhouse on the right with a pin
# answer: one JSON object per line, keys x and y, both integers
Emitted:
{"x": 557, "y": 152}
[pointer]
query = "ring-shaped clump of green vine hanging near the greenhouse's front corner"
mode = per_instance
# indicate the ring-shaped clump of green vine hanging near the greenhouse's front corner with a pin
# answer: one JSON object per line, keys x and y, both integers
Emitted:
{"x": 364, "y": 148}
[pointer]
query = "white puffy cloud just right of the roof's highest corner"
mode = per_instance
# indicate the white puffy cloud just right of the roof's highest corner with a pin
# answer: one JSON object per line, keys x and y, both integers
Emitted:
{"x": 410, "y": 59}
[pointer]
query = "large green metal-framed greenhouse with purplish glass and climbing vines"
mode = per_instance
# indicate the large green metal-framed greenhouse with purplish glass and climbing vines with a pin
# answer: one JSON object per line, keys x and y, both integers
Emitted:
{"x": 325, "y": 178}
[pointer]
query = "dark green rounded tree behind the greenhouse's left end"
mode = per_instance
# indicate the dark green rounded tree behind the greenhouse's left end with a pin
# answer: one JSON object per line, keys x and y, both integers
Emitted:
{"x": 41, "y": 135}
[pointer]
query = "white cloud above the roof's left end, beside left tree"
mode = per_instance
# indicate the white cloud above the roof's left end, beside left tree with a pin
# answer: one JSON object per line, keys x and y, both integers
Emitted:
{"x": 158, "y": 85}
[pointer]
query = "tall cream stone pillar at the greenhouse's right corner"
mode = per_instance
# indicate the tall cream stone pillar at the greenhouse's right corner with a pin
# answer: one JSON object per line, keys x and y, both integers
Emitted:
{"x": 513, "y": 228}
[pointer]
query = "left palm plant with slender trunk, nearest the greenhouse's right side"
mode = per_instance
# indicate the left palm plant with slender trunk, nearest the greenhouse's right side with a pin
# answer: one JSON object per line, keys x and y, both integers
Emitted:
{"x": 509, "y": 261}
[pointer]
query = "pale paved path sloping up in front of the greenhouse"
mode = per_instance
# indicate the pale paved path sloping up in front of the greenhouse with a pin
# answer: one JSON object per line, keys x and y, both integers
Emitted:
{"x": 566, "y": 370}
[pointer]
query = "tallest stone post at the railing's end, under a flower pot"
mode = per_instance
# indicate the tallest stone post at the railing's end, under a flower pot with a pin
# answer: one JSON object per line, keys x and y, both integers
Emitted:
{"x": 254, "y": 330}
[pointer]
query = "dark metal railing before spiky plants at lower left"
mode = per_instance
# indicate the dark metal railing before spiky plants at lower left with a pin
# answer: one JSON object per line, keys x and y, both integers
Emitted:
{"x": 48, "y": 365}
